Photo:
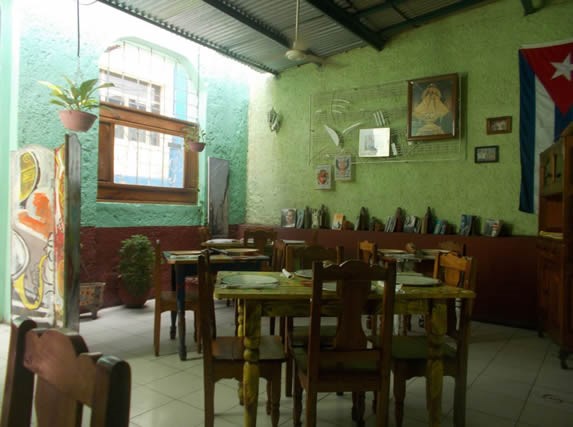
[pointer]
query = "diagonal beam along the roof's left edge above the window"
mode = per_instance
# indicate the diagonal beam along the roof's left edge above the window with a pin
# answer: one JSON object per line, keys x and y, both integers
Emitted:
{"x": 117, "y": 4}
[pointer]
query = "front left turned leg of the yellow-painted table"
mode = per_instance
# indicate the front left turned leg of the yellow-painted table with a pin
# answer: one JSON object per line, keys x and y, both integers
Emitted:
{"x": 251, "y": 327}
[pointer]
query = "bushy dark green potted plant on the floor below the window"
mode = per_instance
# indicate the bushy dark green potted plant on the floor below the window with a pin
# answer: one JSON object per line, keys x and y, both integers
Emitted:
{"x": 136, "y": 260}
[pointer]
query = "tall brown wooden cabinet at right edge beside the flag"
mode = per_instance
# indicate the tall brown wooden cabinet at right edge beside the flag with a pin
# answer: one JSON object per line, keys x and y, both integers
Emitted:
{"x": 554, "y": 251}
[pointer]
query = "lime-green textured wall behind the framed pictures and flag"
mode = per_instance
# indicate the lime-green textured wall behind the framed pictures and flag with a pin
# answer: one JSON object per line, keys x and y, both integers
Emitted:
{"x": 482, "y": 44}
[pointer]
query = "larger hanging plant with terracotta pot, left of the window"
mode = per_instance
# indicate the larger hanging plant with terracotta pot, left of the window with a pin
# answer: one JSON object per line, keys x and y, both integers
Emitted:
{"x": 78, "y": 100}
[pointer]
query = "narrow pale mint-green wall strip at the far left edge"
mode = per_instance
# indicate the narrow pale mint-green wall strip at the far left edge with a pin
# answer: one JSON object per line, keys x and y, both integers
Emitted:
{"x": 8, "y": 104}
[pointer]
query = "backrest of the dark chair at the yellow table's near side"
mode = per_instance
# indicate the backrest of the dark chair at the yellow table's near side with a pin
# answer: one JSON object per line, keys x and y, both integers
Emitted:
{"x": 350, "y": 345}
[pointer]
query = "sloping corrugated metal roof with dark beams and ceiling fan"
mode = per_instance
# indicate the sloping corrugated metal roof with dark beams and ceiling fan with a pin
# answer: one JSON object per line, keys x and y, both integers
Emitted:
{"x": 259, "y": 32}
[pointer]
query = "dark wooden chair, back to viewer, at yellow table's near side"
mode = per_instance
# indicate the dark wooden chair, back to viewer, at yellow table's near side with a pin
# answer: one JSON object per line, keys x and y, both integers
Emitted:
{"x": 347, "y": 363}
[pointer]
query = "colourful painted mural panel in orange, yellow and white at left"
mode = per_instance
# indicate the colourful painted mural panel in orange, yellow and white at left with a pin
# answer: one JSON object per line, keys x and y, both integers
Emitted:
{"x": 32, "y": 227}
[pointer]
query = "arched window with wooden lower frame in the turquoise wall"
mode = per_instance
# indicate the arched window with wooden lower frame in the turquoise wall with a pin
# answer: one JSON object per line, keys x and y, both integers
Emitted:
{"x": 142, "y": 157}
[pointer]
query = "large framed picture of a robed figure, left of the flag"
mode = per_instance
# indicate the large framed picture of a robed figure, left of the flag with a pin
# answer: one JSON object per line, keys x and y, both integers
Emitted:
{"x": 433, "y": 108}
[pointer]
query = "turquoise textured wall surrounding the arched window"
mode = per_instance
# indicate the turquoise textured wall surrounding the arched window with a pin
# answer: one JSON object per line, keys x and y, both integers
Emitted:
{"x": 48, "y": 51}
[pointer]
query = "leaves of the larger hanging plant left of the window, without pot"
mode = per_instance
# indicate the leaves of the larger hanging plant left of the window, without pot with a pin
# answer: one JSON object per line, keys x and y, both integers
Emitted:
{"x": 74, "y": 96}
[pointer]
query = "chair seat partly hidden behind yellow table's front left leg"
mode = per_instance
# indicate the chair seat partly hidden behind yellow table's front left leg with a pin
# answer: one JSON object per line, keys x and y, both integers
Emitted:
{"x": 232, "y": 348}
